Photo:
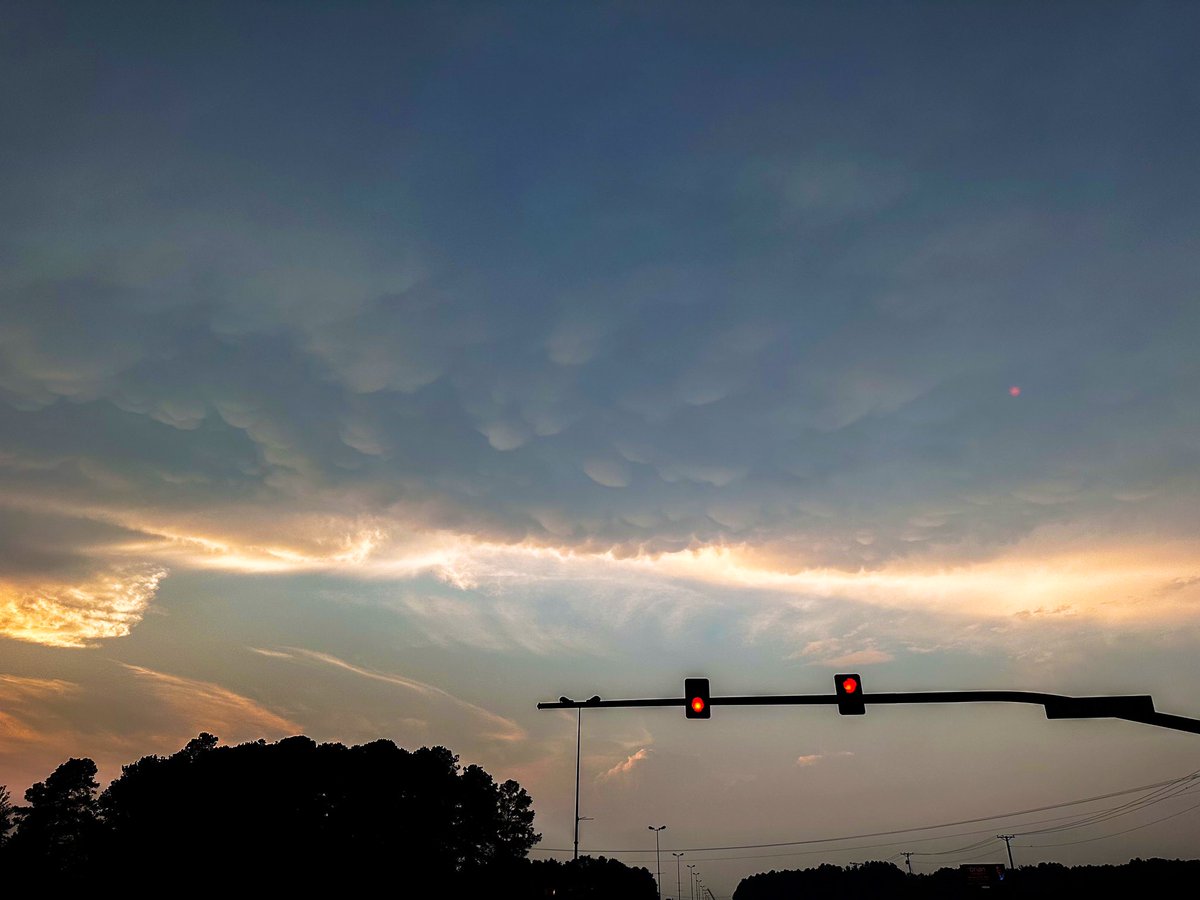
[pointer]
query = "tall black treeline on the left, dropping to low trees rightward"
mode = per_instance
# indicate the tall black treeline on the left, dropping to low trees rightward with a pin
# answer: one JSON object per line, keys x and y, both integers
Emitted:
{"x": 292, "y": 814}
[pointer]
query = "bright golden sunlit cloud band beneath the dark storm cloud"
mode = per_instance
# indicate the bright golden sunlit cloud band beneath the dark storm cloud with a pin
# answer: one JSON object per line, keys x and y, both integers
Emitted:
{"x": 1053, "y": 575}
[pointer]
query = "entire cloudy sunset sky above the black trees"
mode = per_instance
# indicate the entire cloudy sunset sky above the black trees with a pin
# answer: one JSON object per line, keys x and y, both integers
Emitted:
{"x": 382, "y": 370}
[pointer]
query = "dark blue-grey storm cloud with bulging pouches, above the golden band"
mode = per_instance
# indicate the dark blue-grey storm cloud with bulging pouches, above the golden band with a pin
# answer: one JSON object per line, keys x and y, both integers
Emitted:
{"x": 514, "y": 285}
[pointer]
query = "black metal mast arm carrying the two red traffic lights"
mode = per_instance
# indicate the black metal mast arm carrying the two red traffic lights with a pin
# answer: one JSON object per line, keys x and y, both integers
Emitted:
{"x": 1137, "y": 709}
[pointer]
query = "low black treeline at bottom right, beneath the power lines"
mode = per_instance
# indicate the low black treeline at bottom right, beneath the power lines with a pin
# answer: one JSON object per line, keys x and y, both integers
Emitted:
{"x": 1149, "y": 878}
